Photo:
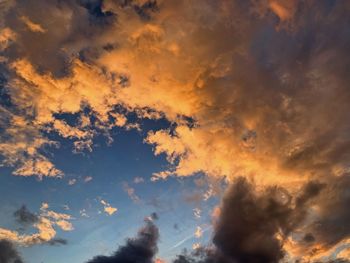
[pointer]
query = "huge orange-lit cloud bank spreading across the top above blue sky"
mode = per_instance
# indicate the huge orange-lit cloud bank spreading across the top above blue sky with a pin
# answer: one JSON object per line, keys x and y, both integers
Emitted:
{"x": 227, "y": 122}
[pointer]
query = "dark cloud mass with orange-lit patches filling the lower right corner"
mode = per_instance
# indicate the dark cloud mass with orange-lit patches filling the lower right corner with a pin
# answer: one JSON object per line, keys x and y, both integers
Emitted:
{"x": 257, "y": 224}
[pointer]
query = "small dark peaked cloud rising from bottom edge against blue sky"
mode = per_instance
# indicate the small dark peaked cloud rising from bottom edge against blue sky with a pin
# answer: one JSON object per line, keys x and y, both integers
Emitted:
{"x": 141, "y": 249}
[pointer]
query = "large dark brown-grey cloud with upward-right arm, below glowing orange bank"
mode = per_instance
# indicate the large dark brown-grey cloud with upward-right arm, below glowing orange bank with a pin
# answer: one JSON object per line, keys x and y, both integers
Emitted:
{"x": 250, "y": 221}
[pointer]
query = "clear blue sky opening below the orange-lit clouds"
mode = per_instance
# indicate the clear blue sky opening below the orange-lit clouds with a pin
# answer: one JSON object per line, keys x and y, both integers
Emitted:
{"x": 109, "y": 166}
